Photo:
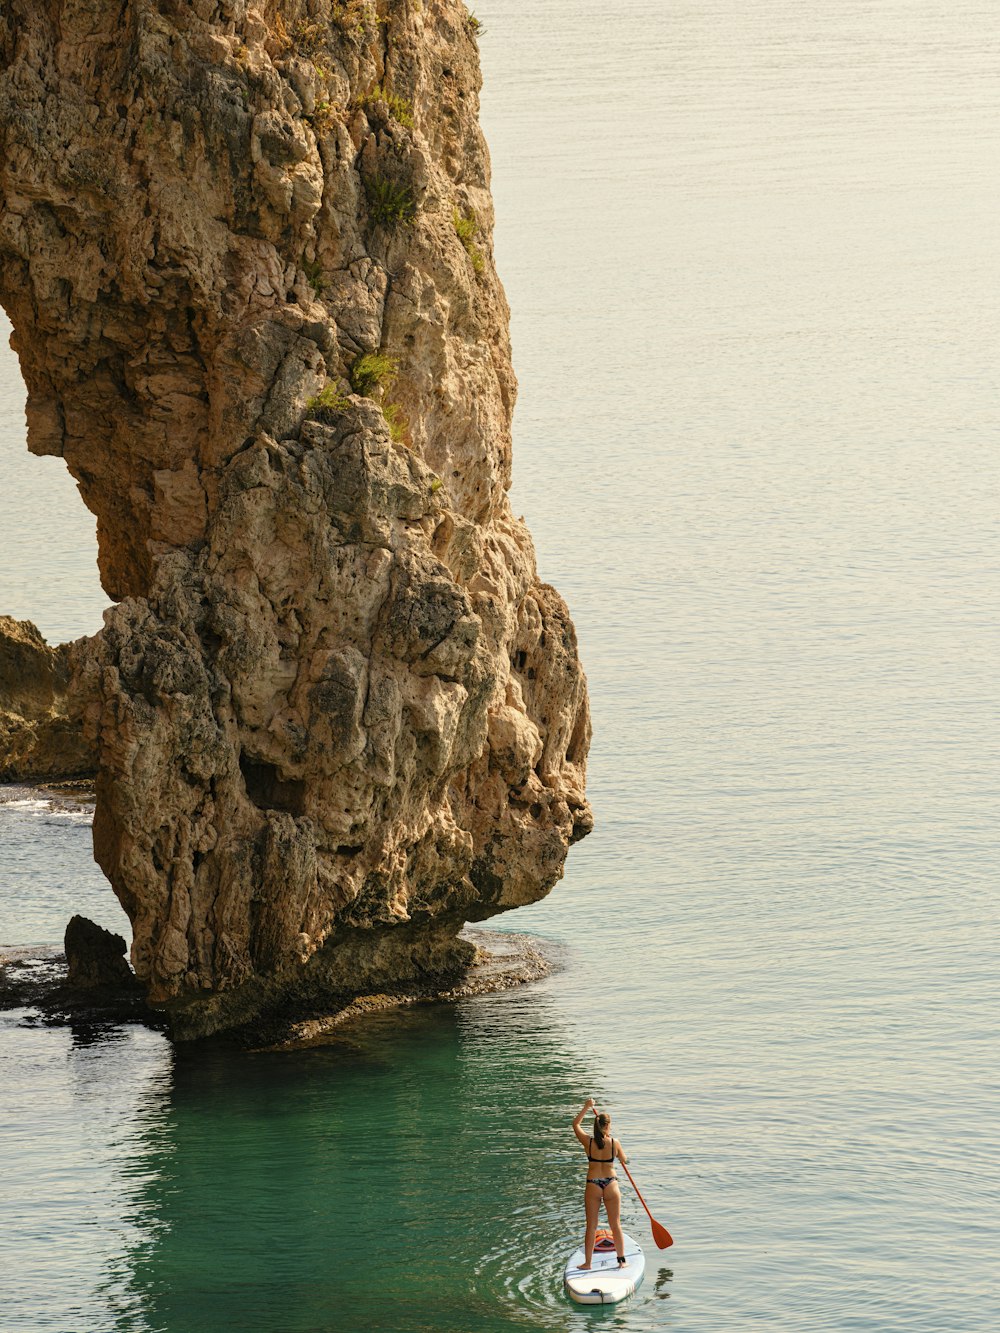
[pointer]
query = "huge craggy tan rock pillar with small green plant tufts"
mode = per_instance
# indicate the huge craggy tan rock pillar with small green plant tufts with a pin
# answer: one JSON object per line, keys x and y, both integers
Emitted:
{"x": 246, "y": 254}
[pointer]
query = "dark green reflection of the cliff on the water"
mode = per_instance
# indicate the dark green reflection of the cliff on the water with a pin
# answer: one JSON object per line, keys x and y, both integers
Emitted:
{"x": 419, "y": 1175}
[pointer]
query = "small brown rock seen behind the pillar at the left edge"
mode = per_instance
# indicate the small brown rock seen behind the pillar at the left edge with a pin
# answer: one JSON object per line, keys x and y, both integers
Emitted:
{"x": 42, "y": 732}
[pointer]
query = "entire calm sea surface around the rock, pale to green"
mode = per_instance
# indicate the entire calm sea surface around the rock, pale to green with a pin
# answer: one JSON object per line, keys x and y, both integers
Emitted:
{"x": 753, "y": 265}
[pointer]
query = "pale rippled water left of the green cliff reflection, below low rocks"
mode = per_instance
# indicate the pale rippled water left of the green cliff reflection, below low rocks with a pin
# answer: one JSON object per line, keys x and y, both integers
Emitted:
{"x": 74, "y": 1139}
